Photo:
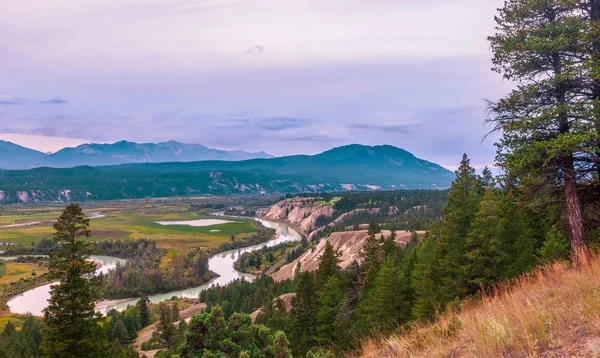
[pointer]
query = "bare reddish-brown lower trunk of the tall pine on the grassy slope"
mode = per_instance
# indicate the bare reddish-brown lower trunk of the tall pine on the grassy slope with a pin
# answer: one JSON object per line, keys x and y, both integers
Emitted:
{"x": 579, "y": 250}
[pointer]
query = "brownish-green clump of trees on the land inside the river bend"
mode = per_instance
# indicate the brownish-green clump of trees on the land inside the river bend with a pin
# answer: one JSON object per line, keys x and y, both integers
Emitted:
{"x": 141, "y": 273}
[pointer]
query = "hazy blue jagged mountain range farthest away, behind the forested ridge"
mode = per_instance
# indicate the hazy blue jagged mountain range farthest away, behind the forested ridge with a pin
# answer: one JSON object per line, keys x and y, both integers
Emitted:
{"x": 13, "y": 156}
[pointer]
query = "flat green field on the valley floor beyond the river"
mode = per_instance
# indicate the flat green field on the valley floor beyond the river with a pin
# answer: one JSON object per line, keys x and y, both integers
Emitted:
{"x": 130, "y": 222}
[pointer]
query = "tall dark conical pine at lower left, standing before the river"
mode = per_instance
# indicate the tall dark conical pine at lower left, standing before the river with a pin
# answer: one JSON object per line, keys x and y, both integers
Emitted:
{"x": 72, "y": 324}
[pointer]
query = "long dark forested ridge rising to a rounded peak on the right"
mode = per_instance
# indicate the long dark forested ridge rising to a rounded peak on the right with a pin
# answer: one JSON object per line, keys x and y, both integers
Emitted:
{"x": 353, "y": 167}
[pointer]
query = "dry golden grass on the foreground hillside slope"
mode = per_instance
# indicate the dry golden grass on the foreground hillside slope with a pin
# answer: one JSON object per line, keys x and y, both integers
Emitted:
{"x": 552, "y": 312}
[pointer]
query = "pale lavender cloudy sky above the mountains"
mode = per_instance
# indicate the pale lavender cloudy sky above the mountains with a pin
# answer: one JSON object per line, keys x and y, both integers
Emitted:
{"x": 281, "y": 76}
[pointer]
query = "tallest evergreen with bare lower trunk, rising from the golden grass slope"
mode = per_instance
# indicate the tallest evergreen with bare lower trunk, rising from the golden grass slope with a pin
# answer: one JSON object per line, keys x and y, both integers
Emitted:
{"x": 549, "y": 122}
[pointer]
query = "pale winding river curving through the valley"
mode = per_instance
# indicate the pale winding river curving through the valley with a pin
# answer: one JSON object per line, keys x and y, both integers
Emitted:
{"x": 36, "y": 299}
